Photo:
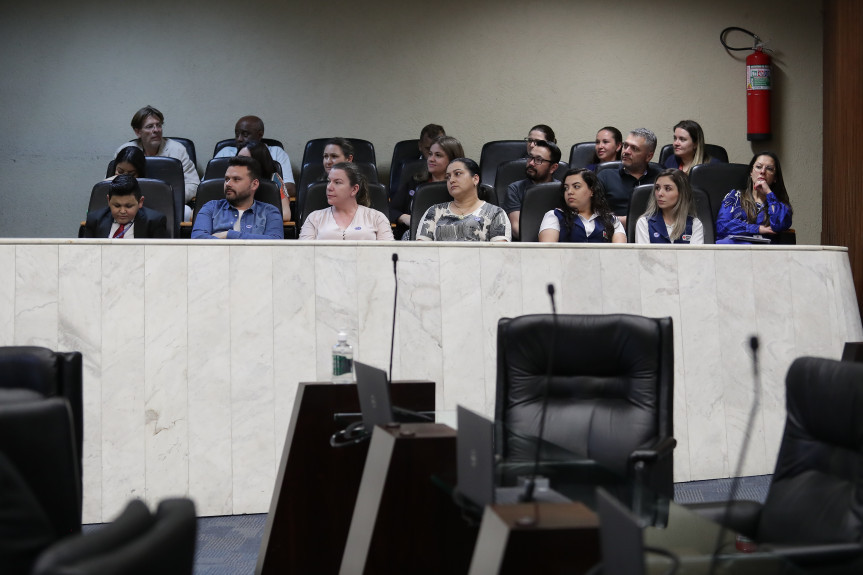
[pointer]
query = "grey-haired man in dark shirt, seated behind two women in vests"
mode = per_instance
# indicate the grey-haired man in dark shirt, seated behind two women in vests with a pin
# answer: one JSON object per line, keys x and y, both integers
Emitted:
{"x": 635, "y": 170}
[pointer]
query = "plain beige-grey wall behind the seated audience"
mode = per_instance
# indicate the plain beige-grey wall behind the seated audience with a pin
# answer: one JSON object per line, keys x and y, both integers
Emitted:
{"x": 74, "y": 73}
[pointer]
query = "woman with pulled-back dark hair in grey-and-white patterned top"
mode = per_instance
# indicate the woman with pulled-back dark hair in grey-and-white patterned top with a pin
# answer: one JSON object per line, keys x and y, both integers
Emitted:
{"x": 466, "y": 217}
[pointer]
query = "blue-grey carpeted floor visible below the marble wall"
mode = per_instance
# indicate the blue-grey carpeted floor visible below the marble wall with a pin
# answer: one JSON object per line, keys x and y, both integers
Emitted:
{"x": 229, "y": 545}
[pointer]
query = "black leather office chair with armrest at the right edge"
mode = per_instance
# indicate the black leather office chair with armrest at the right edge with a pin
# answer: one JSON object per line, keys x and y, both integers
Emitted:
{"x": 813, "y": 513}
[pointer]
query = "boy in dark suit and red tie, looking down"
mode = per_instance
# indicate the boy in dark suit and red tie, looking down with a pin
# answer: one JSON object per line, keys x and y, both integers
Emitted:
{"x": 125, "y": 217}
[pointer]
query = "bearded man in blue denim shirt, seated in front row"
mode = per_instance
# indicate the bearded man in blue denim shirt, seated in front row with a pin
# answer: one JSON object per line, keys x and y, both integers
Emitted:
{"x": 239, "y": 216}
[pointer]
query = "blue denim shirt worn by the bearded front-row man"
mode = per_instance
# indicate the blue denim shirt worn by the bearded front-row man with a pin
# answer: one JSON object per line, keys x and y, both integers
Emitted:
{"x": 260, "y": 222}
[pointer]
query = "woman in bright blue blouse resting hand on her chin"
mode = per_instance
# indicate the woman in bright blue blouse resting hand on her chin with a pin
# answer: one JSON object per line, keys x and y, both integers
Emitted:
{"x": 762, "y": 209}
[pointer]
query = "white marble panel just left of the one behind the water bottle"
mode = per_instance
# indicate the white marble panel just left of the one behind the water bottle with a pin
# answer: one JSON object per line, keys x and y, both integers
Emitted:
{"x": 293, "y": 330}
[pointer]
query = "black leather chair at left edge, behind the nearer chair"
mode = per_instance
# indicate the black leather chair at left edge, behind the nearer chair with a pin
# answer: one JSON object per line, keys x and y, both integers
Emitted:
{"x": 50, "y": 373}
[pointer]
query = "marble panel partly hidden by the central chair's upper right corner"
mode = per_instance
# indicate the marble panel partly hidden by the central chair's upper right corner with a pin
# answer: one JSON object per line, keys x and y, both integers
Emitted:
{"x": 660, "y": 297}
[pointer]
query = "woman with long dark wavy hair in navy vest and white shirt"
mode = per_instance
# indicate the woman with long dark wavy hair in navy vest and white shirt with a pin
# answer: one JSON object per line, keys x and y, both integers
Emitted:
{"x": 583, "y": 214}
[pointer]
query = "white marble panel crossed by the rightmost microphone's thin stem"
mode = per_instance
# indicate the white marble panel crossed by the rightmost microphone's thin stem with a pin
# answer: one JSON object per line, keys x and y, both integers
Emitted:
{"x": 737, "y": 323}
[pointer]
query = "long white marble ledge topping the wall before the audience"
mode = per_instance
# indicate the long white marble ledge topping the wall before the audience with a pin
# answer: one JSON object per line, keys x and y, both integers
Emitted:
{"x": 420, "y": 244}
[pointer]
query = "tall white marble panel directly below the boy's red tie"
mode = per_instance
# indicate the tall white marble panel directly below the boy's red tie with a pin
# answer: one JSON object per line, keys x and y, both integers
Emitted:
{"x": 124, "y": 348}
